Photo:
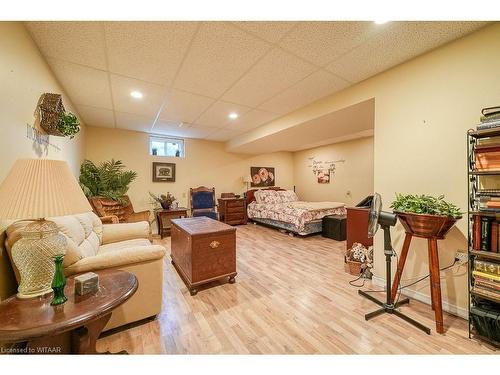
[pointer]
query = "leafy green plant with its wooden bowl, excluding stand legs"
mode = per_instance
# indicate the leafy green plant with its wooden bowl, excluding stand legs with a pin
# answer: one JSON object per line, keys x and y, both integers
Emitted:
{"x": 425, "y": 215}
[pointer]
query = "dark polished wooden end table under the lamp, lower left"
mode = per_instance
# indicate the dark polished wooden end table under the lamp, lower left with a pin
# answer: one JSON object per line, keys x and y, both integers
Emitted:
{"x": 72, "y": 327}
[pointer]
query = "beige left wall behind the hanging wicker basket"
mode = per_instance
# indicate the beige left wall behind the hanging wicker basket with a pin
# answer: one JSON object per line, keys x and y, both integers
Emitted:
{"x": 24, "y": 76}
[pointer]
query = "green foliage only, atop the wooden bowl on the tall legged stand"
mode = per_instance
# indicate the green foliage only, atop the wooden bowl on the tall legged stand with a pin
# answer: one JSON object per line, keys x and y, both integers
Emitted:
{"x": 425, "y": 204}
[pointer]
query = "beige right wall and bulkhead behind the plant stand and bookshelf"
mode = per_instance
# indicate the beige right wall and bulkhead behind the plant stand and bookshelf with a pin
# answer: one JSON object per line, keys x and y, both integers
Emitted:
{"x": 423, "y": 109}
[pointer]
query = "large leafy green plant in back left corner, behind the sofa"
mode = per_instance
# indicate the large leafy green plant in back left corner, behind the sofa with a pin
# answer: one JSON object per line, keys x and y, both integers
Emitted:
{"x": 106, "y": 180}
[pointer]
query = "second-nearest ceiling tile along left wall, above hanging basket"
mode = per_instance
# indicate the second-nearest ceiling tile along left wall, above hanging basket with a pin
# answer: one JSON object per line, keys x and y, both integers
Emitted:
{"x": 87, "y": 86}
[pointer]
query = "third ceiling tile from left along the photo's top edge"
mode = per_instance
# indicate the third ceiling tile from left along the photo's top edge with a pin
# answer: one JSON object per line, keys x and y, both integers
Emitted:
{"x": 219, "y": 55}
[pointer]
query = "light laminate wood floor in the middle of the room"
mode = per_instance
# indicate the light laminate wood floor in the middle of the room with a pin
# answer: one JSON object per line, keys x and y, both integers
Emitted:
{"x": 291, "y": 296}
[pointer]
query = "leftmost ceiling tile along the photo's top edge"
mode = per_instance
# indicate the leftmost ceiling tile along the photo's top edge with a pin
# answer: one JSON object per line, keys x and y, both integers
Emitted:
{"x": 78, "y": 42}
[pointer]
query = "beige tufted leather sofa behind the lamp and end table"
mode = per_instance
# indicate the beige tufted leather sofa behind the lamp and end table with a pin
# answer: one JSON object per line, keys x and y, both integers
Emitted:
{"x": 94, "y": 246}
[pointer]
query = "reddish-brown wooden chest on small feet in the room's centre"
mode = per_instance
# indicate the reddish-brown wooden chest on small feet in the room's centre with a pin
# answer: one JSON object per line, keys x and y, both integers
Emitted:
{"x": 203, "y": 250}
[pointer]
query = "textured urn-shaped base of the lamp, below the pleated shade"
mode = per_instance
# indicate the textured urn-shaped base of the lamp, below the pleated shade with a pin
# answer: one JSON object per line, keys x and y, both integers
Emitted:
{"x": 33, "y": 257}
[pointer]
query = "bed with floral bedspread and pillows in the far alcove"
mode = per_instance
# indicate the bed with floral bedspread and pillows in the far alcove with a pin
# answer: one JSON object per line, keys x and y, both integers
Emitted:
{"x": 282, "y": 209}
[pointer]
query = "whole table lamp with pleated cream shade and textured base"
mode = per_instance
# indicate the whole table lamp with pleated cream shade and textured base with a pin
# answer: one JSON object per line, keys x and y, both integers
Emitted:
{"x": 33, "y": 190}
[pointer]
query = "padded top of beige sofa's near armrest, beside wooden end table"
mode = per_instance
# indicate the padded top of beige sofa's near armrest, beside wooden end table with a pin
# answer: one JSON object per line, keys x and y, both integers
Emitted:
{"x": 113, "y": 259}
